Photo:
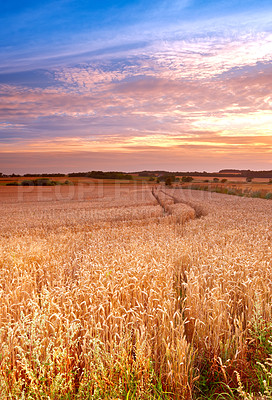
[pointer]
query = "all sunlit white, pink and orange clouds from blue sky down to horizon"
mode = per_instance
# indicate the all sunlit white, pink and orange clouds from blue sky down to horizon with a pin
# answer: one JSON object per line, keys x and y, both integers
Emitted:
{"x": 200, "y": 100}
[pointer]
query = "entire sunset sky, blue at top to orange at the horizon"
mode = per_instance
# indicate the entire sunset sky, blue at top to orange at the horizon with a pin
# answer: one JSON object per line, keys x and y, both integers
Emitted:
{"x": 133, "y": 85}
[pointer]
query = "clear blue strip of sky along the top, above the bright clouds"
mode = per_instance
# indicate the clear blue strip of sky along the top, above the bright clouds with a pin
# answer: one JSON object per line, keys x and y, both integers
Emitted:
{"x": 50, "y": 32}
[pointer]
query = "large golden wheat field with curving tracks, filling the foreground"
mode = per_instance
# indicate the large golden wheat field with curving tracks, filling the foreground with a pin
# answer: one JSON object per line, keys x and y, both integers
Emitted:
{"x": 134, "y": 291}
